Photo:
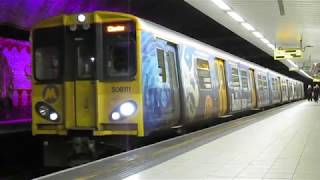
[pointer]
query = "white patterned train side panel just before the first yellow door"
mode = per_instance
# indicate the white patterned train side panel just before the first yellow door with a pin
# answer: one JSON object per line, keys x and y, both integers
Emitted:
{"x": 199, "y": 90}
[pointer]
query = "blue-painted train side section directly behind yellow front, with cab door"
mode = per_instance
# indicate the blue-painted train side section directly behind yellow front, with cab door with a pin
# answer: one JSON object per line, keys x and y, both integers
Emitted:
{"x": 160, "y": 88}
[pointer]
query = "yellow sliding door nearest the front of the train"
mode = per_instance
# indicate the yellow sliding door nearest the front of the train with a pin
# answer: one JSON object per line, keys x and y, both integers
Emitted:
{"x": 223, "y": 100}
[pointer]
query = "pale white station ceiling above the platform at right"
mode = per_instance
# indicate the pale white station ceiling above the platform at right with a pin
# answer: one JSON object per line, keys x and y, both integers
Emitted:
{"x": 283, "y": 23}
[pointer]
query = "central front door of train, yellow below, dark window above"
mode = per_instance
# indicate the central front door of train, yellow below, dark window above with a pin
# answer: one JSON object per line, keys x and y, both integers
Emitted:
{"x": 82, "y": 54}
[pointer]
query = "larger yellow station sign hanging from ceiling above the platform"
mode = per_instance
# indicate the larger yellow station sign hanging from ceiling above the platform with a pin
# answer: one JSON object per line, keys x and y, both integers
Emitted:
{"x": 288, "y": 53}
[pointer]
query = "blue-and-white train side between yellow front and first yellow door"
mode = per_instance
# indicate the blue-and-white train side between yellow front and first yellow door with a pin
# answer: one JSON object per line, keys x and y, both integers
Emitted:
{"x": 198, "y": 86}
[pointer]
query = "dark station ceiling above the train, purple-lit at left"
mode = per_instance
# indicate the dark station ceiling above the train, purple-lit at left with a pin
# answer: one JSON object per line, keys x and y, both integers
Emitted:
{"x": 174, "y": 14}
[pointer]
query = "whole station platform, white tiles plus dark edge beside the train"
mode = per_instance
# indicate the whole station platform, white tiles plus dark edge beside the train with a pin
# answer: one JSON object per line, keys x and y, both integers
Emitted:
{"x": 279, "y": 143}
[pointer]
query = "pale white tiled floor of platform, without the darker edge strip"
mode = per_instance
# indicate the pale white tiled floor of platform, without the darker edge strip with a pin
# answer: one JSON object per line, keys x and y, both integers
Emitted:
{"x": 285, "y": 145}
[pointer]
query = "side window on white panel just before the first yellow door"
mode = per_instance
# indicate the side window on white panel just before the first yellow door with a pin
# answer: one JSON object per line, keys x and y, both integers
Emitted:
{"x": 204, "y": 74}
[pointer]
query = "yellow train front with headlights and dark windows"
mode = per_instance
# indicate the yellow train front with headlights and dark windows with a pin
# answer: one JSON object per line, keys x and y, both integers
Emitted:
{"x": 86, "y": 82}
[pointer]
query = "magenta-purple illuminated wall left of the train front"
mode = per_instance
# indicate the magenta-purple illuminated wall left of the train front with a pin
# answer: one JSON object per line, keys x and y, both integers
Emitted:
{"x": 15, "y": 79}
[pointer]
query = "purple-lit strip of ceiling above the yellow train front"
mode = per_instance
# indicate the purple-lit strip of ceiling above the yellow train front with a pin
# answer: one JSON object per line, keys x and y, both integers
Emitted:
{"x": 25, "y": 13}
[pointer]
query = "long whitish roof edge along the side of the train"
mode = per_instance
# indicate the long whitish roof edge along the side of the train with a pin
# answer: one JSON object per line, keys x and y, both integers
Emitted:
{"x": 178, "y": 38}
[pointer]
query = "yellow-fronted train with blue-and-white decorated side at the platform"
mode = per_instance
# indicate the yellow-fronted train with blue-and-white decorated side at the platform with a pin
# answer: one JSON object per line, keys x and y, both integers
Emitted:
{"x": 107, "y": 75}
